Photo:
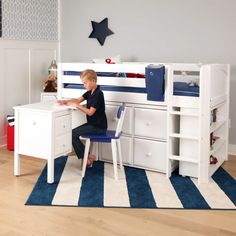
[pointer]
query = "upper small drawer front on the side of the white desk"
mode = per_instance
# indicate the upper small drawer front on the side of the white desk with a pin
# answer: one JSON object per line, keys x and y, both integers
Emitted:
{"x": 62, "y": 124}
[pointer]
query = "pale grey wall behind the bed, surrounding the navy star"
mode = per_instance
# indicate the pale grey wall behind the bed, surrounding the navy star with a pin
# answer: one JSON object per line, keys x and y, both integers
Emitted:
{"x": 154, "y": 30}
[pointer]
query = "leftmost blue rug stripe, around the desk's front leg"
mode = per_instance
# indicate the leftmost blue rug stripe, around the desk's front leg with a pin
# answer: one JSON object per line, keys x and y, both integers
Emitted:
{"x": 43, "y": 192}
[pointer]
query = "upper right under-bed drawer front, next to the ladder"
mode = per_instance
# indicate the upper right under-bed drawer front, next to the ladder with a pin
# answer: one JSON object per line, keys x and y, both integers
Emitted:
{"x": 151, "y": 123}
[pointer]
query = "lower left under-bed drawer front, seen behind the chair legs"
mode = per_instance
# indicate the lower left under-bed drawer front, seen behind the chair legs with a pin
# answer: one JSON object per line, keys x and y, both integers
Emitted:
{"x": 126, "y": 148}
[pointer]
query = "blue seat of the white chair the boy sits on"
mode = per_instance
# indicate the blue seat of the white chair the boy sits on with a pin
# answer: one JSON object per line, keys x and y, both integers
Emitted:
{"x": 106, "y": 138}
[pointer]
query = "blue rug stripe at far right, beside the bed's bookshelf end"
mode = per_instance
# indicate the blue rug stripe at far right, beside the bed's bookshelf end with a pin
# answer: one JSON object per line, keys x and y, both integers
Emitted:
{"x": 226, "y": 182}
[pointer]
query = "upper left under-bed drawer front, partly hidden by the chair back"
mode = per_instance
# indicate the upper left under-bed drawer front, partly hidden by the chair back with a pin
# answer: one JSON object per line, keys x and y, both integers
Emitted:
{"x": 111, "y": 111}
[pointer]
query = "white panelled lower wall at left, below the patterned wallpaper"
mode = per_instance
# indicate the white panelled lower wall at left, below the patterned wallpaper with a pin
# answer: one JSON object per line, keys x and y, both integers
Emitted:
{"x": 23, "y": 69}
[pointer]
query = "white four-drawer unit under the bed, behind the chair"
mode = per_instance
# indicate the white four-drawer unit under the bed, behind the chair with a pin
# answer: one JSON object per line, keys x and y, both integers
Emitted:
{"x": 143, "y": 143}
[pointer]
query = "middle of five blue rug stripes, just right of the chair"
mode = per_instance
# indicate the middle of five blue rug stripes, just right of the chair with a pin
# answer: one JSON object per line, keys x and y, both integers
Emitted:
{"x": 139, "y": 190}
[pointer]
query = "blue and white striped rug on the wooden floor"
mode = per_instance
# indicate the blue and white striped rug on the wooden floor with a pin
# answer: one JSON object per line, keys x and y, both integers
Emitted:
{"x": 136, "y": 188}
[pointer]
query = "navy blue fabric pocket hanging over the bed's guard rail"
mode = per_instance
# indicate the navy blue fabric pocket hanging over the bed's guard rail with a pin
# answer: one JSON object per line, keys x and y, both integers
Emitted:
{"x": 155, "y": 82}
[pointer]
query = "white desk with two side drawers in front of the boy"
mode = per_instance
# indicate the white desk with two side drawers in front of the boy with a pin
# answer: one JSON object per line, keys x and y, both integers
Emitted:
{"x": 42, "y": 130}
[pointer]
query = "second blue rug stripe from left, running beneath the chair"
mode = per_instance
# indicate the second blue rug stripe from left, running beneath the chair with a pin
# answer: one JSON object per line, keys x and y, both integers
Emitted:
{"x": 92, "y": 189}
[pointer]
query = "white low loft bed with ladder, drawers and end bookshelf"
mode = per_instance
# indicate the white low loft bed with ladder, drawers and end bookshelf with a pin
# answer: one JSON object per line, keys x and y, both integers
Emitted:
{"x": 169, "y": 122}
